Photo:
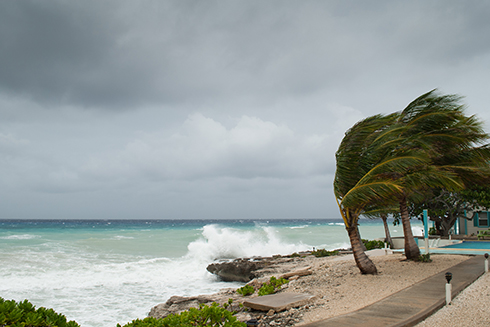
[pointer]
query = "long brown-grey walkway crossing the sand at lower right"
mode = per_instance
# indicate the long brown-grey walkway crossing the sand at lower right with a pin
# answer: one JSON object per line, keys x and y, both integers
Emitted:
{"x": 413, "y": 304}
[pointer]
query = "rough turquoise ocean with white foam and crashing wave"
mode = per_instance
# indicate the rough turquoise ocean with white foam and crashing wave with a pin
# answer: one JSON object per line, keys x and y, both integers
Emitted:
{"x": 103, "y": 272}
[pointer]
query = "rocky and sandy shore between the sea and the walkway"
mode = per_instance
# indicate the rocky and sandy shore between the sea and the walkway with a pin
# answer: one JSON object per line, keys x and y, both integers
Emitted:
{"x": 335, "y": 282}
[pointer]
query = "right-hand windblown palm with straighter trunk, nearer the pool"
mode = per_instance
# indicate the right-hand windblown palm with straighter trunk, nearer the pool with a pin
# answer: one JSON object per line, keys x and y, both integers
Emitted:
{"x": 437, "y": 125}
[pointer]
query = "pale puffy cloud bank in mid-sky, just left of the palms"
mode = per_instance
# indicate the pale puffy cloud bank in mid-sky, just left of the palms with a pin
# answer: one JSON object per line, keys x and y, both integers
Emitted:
{"x": 204, "y": 149}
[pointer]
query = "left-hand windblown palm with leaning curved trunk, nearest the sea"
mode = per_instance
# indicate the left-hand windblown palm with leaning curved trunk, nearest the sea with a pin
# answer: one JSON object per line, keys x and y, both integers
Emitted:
{"x": 362, "y": 159}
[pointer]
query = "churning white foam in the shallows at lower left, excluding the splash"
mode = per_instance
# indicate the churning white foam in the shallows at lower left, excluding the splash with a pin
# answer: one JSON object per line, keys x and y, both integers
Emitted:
{"x": 106, "y": 290}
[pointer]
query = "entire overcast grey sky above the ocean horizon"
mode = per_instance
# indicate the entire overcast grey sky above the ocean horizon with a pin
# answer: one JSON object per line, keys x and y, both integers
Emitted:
{"x": 212, "y": 109}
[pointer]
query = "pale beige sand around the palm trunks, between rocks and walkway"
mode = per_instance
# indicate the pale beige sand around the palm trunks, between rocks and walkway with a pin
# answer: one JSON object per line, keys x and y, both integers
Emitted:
{"x": 340, "y": 287}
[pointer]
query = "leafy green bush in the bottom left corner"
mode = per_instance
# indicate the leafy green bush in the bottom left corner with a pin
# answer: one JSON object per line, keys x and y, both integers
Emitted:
{"x": 25, "y": 314}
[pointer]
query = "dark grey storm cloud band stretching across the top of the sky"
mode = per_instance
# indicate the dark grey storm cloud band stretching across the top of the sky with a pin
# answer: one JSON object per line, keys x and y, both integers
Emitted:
{"x": 122, "y": 54}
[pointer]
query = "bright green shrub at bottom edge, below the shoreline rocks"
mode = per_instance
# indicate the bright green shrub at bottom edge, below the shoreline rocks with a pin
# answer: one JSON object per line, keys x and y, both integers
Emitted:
{"x": 208, "y": 316}
